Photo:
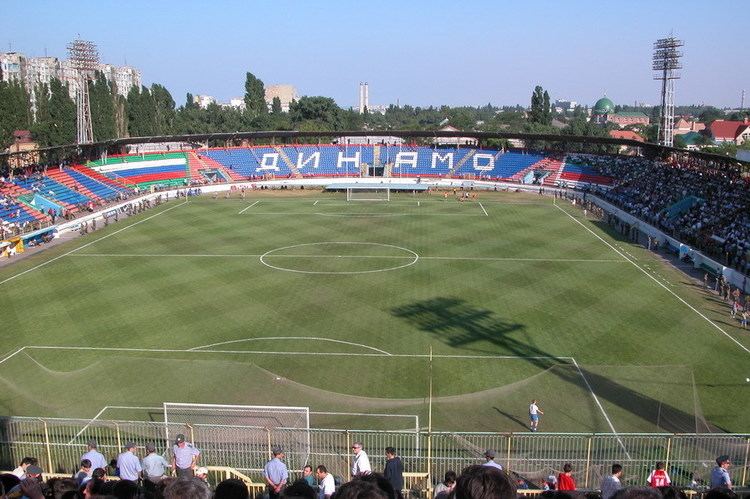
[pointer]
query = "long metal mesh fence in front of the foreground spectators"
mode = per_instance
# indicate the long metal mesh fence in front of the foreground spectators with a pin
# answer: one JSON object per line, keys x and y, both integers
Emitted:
{"x": 689, "y": 458}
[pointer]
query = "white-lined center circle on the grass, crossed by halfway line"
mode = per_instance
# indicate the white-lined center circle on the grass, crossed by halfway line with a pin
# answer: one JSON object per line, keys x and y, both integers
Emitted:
{"x": 339, "y": 258}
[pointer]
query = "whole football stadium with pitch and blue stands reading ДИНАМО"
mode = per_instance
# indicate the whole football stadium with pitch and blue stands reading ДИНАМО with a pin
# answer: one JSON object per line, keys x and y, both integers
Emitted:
{"x": 292, "y": 289}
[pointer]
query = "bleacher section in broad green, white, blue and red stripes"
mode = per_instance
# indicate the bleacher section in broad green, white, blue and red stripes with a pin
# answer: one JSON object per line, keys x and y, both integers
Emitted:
{"x": 146, "y": 170}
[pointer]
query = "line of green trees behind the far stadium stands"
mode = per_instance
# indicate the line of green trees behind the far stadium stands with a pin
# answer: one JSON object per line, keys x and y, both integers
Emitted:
{"x": 152, "y": 111}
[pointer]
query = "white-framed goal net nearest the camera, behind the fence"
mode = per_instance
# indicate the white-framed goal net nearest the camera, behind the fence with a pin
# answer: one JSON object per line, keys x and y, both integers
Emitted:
{"x": 238, "y": 435}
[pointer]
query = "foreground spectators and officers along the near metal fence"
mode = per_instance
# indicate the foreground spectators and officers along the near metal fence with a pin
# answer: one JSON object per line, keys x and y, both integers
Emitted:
{"x": 149, "y": 478}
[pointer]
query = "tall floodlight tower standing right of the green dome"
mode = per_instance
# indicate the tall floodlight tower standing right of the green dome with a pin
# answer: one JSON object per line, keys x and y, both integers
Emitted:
{"x": 666, "y": 62}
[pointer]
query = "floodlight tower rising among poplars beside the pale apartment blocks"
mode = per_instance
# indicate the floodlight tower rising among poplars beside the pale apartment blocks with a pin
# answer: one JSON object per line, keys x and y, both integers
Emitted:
{"x": 85, "y": 61}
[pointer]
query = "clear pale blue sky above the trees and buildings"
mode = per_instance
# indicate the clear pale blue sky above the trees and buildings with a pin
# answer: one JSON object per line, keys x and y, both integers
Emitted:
{"x": 414, "y": 52}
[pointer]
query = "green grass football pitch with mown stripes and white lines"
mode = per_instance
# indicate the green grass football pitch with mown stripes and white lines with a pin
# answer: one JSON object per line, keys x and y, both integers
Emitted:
{"x": 304, "y": 299}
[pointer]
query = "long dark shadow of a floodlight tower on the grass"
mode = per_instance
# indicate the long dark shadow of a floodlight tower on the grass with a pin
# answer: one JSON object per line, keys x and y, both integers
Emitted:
{"x": 459, "y": 325}
